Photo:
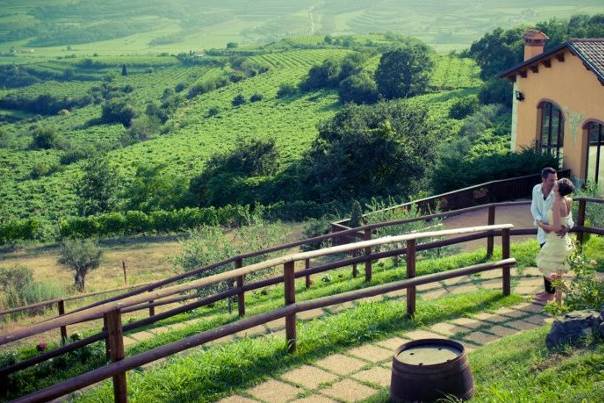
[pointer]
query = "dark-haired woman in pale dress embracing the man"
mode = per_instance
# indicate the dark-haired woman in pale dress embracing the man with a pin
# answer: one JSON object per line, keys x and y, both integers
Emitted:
{"x": 552, "y": 259}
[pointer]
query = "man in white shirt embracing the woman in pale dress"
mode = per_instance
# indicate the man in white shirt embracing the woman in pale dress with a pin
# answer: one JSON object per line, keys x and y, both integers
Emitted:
{"x": 541, "y": 203}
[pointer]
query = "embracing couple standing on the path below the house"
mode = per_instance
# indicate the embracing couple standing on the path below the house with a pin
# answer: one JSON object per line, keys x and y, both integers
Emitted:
{"x": 551, "y": 207}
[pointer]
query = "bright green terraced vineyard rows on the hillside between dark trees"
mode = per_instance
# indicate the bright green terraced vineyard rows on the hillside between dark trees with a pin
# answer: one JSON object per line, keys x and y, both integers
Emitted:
{"x": 195, "y": 135}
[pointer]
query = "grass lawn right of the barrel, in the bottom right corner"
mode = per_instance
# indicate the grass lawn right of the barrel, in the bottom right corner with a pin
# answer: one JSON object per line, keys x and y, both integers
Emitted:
{"x": 519, "y": 368}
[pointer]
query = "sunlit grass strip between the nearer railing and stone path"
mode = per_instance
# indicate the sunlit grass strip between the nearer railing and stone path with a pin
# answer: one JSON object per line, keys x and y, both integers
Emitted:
{"x": 208, "y": 374}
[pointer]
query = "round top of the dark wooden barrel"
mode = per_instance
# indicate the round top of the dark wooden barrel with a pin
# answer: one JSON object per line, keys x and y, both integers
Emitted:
{"x": 431, "y": 352}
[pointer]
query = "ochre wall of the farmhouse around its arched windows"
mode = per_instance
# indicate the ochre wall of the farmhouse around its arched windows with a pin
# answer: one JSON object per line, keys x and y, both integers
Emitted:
{"x": 579, "y": 95}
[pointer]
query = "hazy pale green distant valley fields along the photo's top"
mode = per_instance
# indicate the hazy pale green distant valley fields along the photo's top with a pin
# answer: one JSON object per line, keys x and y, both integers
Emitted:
{"x": 40, "y": 29}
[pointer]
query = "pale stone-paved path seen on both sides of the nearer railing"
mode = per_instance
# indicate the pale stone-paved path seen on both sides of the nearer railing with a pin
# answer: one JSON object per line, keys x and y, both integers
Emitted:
{"x": 360, "y": 372}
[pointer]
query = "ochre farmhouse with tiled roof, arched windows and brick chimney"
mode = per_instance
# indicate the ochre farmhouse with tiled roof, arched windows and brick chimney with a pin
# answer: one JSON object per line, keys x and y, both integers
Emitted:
{"x": 559, "y": 103}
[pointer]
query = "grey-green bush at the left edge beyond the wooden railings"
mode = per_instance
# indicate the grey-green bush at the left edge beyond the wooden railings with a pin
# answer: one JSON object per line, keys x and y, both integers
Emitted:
{"x": 19, "y": 288}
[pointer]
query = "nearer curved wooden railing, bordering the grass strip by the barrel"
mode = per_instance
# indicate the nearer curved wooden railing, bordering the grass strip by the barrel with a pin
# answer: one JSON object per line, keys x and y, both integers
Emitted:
{"x": 111, "y": 311}
